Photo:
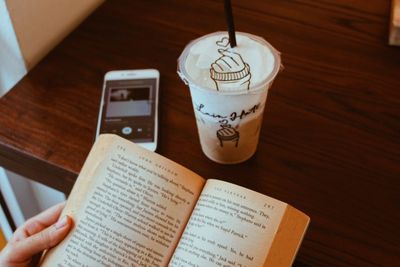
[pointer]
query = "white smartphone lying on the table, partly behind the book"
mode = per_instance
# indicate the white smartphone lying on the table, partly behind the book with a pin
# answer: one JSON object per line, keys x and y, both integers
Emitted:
{"x": 129, "y": 106}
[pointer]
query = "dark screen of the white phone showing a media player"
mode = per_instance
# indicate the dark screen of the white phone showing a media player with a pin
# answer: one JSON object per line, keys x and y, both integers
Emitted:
{"x": 129, "y": 109}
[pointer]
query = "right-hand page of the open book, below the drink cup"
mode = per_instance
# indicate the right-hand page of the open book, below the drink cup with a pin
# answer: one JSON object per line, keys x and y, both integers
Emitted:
{"x": 230, "y": 226}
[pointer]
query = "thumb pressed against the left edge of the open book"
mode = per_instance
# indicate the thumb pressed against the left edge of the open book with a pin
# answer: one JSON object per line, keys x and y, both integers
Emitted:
{"x": 45, "y": 239}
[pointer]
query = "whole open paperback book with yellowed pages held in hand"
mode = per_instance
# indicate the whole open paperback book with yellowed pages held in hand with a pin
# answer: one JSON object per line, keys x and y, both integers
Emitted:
{"x": 133, "y": 207}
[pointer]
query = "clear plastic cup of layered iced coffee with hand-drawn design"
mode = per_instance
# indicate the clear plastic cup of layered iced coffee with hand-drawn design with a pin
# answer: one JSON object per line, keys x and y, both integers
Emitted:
{"x": 229, "y": 88}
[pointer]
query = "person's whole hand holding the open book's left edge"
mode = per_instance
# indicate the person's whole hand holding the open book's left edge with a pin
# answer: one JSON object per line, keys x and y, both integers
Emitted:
{"x": 36, "y": 235}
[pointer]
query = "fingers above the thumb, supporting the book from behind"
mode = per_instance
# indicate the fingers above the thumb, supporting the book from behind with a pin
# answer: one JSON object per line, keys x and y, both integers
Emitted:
{"x": 39, "y": 222}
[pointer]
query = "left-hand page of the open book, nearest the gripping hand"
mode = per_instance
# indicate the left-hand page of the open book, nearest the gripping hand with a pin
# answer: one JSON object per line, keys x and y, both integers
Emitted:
{"x": 130, "y": 207}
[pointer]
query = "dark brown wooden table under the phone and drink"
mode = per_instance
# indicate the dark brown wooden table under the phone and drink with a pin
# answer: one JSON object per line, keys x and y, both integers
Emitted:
{"x": 330, "y": 141}
